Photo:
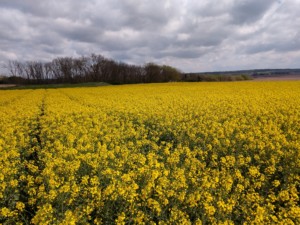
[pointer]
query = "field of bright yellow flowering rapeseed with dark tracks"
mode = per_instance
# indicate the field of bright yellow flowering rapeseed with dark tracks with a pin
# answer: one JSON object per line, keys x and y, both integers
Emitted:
{"x": 175, "y": 153}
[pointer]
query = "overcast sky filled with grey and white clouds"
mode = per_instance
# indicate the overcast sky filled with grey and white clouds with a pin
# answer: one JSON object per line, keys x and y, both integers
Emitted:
{"x": 192, "y": 35}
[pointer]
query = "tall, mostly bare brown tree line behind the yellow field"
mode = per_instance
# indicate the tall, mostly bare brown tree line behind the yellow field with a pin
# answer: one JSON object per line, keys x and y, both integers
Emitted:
{"x": 93, "y": 68}
